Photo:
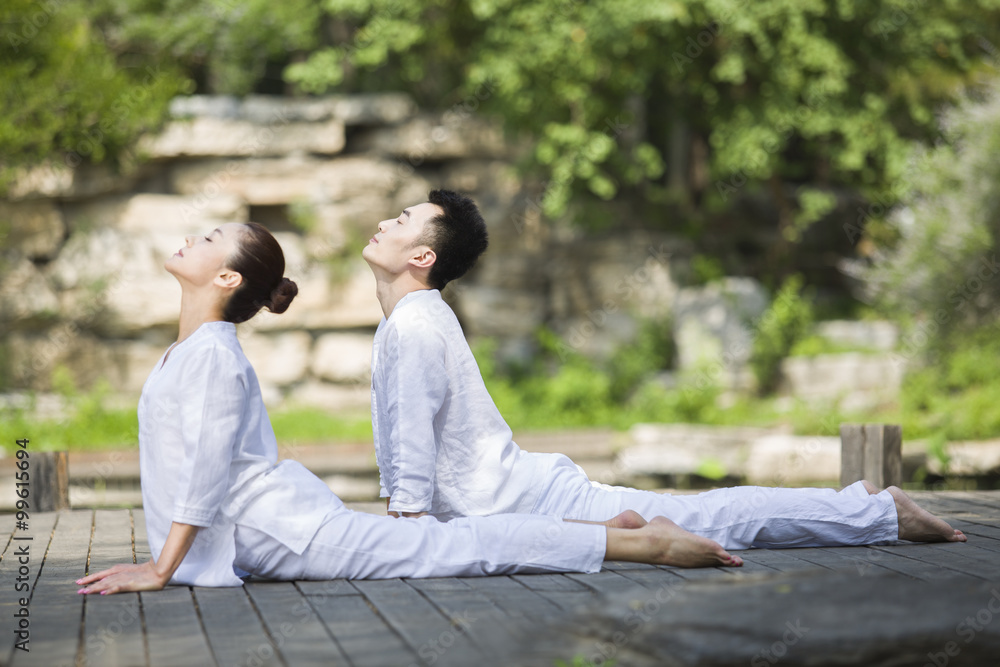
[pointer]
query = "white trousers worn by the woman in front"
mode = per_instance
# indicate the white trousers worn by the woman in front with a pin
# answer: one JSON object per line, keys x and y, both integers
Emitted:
{"x": 356, "y": 545}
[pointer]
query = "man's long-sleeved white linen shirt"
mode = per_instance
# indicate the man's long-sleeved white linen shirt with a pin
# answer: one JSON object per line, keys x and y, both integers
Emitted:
{"x": 440, "y": 442}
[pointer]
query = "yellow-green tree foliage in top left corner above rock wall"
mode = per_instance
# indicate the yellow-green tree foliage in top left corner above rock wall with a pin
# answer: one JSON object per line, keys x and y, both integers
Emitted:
{"x": 67, "y": 94}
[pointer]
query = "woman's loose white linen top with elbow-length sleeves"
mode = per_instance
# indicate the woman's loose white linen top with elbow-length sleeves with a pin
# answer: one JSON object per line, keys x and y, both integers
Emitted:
{"x": 207, "y": 450}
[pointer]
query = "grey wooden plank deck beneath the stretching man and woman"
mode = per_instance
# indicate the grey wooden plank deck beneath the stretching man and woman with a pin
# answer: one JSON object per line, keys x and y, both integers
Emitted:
{"x": 511, "y": 620}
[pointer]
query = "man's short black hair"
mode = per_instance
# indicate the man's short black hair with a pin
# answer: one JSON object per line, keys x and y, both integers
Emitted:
{"x": 457, "y": 236}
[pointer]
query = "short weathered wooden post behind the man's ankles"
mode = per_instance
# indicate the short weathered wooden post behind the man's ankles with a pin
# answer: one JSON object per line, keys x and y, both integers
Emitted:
{"x": 872, "y": 452}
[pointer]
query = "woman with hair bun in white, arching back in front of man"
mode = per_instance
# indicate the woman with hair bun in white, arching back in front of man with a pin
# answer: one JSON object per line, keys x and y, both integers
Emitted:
{"x": 219, "y": 507}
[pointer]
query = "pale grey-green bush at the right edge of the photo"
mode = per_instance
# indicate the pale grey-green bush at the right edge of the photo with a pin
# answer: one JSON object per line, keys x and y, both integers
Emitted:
{"x": 939, "y": 272}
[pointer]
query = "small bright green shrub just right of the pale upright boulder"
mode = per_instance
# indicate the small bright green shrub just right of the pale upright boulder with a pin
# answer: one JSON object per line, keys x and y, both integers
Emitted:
{"x": 785, "y": 322}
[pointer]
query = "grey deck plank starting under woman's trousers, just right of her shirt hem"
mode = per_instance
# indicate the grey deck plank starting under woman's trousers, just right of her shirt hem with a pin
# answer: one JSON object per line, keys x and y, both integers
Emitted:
{"x": 293, "y": 626}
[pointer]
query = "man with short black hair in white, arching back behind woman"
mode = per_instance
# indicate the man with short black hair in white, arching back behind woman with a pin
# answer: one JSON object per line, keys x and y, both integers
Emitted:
{"x": 443, "y": 448}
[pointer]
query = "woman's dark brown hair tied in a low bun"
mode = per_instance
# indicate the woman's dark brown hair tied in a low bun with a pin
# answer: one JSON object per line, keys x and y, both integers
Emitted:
{"x": 258, "y": 258}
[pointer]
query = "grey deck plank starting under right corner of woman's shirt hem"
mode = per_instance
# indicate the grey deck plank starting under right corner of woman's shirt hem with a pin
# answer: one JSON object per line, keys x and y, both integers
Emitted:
{"x": 233, "y": 628}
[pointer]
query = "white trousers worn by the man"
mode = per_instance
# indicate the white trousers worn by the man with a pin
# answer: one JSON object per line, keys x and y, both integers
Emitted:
{"x": 737, "y": 518}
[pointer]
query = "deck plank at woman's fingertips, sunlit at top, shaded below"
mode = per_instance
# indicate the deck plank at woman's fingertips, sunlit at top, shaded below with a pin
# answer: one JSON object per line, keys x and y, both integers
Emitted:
{"x": 56, "y": 609}
